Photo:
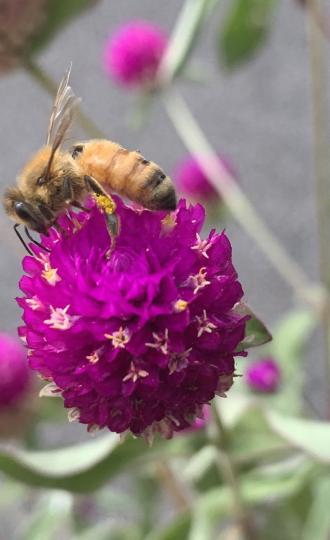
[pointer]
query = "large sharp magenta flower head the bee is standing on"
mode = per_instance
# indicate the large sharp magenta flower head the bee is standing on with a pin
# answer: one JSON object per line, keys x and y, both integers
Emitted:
{"x": 137, "y": 338}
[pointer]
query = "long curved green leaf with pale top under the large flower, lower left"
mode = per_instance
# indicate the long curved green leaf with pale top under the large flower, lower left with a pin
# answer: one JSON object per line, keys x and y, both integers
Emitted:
{"x": 82, "y": 467}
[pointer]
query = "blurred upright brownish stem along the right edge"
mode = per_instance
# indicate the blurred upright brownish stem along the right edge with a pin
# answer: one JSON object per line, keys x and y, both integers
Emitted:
{"x": 318, "y": 75}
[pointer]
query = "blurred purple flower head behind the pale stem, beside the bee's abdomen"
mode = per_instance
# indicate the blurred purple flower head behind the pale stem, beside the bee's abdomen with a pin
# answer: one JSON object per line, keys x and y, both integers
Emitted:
{"x": 193, "y": 183}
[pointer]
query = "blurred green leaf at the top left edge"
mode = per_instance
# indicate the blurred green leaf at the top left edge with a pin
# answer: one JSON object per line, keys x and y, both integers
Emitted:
{"x": 58, "y": 14}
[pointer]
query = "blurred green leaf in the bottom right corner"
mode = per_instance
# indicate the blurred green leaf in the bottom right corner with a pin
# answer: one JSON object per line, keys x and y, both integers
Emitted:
{"x": 317, "y": 526}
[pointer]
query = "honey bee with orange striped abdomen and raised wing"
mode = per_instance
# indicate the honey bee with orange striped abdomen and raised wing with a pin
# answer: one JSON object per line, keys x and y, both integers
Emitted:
{"x": 56, "y": 179}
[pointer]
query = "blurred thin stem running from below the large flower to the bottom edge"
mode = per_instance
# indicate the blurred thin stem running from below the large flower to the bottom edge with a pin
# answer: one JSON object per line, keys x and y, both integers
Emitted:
{"x": 227, "y": 469}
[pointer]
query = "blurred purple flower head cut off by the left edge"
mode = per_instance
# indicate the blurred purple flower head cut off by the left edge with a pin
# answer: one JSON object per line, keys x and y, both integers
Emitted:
{"x": 14, "y": 371}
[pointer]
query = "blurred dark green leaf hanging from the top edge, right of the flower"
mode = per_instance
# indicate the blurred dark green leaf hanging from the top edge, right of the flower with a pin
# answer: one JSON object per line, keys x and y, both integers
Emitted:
{"x": 244, "y": 30}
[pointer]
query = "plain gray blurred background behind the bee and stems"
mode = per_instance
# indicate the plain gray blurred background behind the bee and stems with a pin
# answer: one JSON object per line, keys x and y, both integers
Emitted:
{"x": 259, "y": 118}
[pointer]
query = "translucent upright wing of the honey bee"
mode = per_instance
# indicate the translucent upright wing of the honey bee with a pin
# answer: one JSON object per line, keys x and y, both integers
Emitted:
{"x": 63, "y": 111}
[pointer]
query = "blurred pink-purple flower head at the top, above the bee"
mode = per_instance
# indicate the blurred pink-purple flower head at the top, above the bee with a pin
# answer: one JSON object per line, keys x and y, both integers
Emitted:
{"x": 132, "y": 56}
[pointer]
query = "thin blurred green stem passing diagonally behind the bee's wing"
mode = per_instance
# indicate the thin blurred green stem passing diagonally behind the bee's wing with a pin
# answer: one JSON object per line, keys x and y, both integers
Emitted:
{"x": 47, "y": 83}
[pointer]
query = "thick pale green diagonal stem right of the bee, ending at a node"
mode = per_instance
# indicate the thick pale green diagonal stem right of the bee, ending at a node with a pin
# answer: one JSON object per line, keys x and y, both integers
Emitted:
{"x": 237, "y": 202}
